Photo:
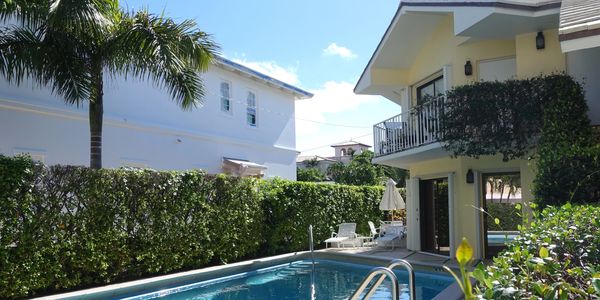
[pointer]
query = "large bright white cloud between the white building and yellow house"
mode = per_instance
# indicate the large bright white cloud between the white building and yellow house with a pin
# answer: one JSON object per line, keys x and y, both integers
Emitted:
{"x": 332, "y": 98}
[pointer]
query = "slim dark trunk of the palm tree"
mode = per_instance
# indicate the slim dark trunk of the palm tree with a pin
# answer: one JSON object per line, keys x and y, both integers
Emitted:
{"x": 96, "y": 114}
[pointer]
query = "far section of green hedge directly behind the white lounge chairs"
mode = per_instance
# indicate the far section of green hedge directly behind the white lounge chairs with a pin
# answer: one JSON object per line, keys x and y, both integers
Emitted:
{"x": 292, "y": 206}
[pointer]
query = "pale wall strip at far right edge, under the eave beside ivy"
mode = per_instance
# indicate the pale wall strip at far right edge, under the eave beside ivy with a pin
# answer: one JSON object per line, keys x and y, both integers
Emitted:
{"x": 584, "y": 65}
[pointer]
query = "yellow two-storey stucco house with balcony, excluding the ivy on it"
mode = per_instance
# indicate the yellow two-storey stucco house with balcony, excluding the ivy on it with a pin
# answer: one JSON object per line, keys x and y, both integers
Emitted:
{"x": 431, "y": 46}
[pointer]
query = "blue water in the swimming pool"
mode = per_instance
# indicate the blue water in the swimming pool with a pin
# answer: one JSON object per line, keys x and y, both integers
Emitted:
{"x": 333, "y": 280}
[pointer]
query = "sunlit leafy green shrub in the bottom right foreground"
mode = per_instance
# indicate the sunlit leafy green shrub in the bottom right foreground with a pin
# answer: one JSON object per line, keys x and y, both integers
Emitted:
{"x": 555, "y": 258}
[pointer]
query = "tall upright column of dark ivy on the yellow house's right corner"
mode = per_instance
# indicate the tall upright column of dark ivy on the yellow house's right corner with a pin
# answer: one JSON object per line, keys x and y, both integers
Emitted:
{"x": 569, "y": 156}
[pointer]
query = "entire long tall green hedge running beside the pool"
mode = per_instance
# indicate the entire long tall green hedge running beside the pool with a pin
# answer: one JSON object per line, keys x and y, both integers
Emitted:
{"x": 67, "y": 227}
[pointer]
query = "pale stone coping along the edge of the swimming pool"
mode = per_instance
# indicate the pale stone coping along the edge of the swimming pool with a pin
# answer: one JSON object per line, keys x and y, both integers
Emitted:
{"x": 165, "y": 281}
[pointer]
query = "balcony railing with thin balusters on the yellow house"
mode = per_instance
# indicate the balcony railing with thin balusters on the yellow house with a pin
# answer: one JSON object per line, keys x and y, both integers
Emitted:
{"x": 417, "y": 127}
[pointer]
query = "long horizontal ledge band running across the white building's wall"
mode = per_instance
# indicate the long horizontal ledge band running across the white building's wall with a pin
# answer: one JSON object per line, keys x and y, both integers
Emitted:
{"x": 140, "y": 126}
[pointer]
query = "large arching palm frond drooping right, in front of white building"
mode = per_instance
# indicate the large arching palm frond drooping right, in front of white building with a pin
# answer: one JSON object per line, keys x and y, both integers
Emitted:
{"x": 170, "y": 54}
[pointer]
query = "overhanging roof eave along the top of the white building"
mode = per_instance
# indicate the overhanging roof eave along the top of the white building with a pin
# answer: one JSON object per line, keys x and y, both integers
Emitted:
{"x": 227, "y": 64}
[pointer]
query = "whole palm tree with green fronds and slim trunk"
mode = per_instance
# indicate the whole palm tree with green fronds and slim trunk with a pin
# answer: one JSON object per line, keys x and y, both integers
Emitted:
{"x": 69, "y": 45}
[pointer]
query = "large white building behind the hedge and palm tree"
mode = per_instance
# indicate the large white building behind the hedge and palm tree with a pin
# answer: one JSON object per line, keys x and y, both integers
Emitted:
{"x": 246, "y": 125}
